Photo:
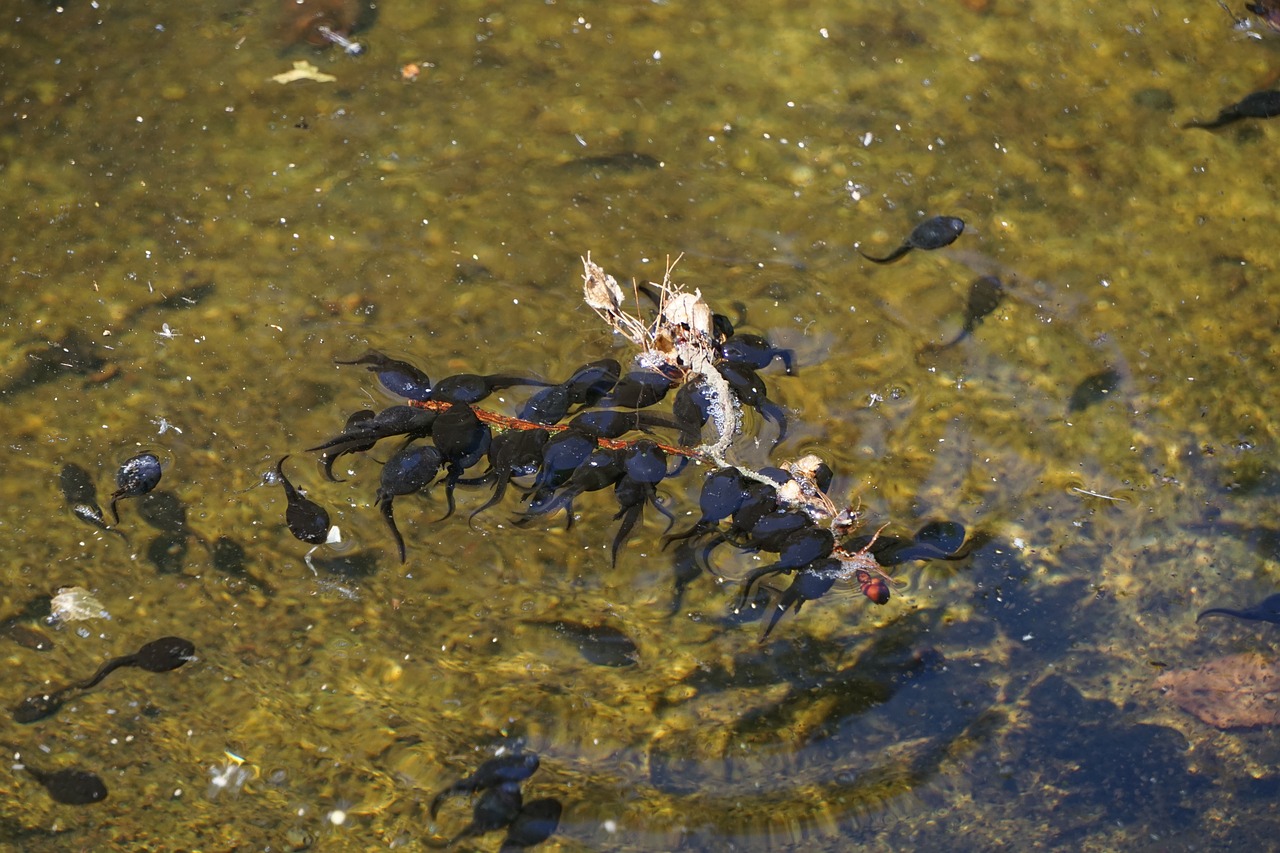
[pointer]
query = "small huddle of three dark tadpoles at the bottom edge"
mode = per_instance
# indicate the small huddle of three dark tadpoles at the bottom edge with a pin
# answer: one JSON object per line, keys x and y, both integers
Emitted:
{"x": 501, "y": 805}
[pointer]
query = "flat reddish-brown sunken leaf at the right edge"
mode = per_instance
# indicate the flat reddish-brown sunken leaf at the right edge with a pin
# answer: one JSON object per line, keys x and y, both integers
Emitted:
{"x": 1233, "y": 692}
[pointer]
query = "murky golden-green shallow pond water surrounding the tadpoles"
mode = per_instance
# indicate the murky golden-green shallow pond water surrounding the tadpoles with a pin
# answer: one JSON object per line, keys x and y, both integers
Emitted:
{"x": 442, "y": 220}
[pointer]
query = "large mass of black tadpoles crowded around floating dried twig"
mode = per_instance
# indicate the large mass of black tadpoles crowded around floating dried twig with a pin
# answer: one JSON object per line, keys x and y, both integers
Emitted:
{"x": 597, "y": 431}
